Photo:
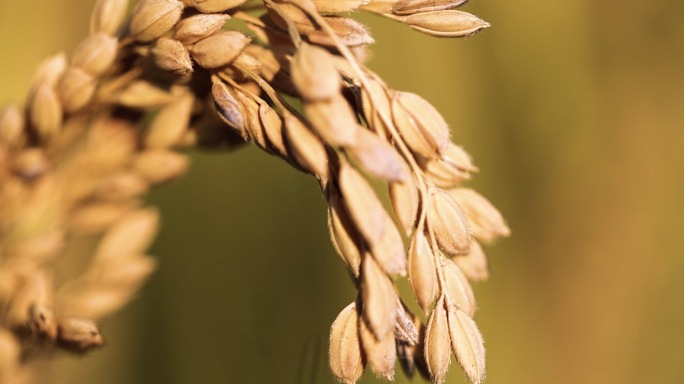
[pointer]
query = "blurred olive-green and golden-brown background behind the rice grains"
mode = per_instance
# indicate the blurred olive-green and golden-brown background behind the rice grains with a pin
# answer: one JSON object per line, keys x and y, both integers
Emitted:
{"x": 574, "y": 113}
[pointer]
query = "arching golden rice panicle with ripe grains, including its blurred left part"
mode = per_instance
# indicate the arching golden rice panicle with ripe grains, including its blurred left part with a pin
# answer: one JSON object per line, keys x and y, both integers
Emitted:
{"x": 101, "y": 126}
